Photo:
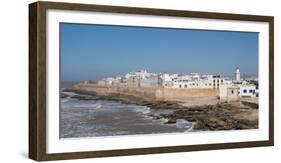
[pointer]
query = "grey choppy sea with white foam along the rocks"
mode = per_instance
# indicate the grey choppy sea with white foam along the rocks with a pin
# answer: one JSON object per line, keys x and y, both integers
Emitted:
{"x": 95, "y": 117}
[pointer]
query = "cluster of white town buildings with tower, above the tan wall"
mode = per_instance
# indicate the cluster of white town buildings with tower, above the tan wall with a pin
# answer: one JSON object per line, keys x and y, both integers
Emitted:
{"x": 228, "y": 87}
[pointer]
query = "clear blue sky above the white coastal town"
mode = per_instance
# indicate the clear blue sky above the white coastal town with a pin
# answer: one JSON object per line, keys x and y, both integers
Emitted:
{"x": 96, "y": 51}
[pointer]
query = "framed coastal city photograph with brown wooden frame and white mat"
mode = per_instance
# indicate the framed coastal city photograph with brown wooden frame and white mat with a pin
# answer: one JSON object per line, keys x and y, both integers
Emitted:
{"x": 112, "y": 81}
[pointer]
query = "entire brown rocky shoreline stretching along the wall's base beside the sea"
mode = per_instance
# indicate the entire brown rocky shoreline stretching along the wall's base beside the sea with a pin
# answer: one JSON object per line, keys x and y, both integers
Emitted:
{"x": 221, "y": 116}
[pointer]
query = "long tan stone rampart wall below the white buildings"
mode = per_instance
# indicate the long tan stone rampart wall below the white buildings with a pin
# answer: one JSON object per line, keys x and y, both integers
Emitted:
{"x": 159, "y": 94}
